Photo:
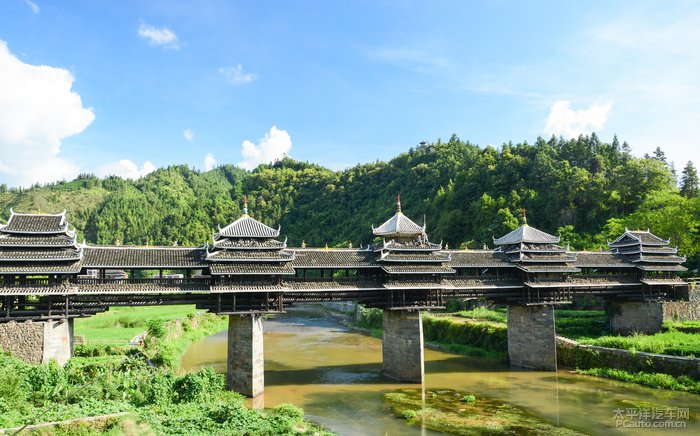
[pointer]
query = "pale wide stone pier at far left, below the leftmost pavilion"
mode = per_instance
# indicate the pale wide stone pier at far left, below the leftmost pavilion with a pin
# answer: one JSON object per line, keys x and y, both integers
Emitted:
{"x": 38, "y": 342}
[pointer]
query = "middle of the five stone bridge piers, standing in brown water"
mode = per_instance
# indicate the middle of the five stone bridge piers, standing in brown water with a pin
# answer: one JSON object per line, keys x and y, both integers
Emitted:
{"x": 402, "y": 346}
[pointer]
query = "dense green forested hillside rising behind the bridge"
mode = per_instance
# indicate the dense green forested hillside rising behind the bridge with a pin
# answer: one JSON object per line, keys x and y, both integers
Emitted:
{"x": 586, "y": 190}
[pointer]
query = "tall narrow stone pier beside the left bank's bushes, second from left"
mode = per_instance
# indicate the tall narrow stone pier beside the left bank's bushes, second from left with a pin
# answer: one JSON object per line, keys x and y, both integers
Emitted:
{"x": 245, "y": 371}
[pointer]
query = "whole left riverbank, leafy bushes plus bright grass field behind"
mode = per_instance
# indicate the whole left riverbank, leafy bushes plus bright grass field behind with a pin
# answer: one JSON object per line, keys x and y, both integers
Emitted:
{"x": 140, "y": 389}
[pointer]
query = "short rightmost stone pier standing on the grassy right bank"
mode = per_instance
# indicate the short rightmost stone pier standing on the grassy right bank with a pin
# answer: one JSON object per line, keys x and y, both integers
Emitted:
{"x": 631, "y": 316}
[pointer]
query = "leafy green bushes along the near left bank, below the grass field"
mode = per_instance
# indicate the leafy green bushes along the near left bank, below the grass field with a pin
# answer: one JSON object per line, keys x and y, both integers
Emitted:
{"x": 160, "y": 401}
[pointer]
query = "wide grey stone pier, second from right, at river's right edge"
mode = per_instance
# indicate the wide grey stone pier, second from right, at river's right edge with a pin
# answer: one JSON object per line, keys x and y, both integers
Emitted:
{"x": 531, "y": 337}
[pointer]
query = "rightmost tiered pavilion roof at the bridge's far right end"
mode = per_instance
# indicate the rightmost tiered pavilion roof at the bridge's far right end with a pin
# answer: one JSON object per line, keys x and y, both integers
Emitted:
{"x": 647, "y": 251}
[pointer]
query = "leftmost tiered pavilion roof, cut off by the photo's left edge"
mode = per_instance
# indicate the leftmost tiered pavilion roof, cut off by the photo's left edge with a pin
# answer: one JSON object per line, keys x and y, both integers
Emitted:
{"x": 38, "y": 244}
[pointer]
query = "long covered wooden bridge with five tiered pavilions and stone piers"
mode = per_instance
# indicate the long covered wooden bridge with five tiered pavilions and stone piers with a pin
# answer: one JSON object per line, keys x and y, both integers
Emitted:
{"x": 47, "y": 279}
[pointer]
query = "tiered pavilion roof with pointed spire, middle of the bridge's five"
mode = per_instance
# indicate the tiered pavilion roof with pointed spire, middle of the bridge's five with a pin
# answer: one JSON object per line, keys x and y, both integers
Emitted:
{"x": 405, "y": 248}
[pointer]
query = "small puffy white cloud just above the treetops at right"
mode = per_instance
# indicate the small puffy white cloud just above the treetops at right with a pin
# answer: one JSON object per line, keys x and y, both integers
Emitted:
{"x": 563, "y": 120}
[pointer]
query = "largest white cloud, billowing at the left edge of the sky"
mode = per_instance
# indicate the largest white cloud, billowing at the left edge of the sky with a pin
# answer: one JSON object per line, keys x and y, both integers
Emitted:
{"x": 37, "y": 111}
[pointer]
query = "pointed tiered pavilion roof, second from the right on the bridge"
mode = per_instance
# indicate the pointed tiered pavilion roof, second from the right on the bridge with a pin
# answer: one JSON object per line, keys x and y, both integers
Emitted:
{"x": 535, "y": 251}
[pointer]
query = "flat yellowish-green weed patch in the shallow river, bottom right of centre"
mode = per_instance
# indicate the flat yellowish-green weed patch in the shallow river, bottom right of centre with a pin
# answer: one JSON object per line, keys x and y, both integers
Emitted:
{"x": 447, "y": 411}
